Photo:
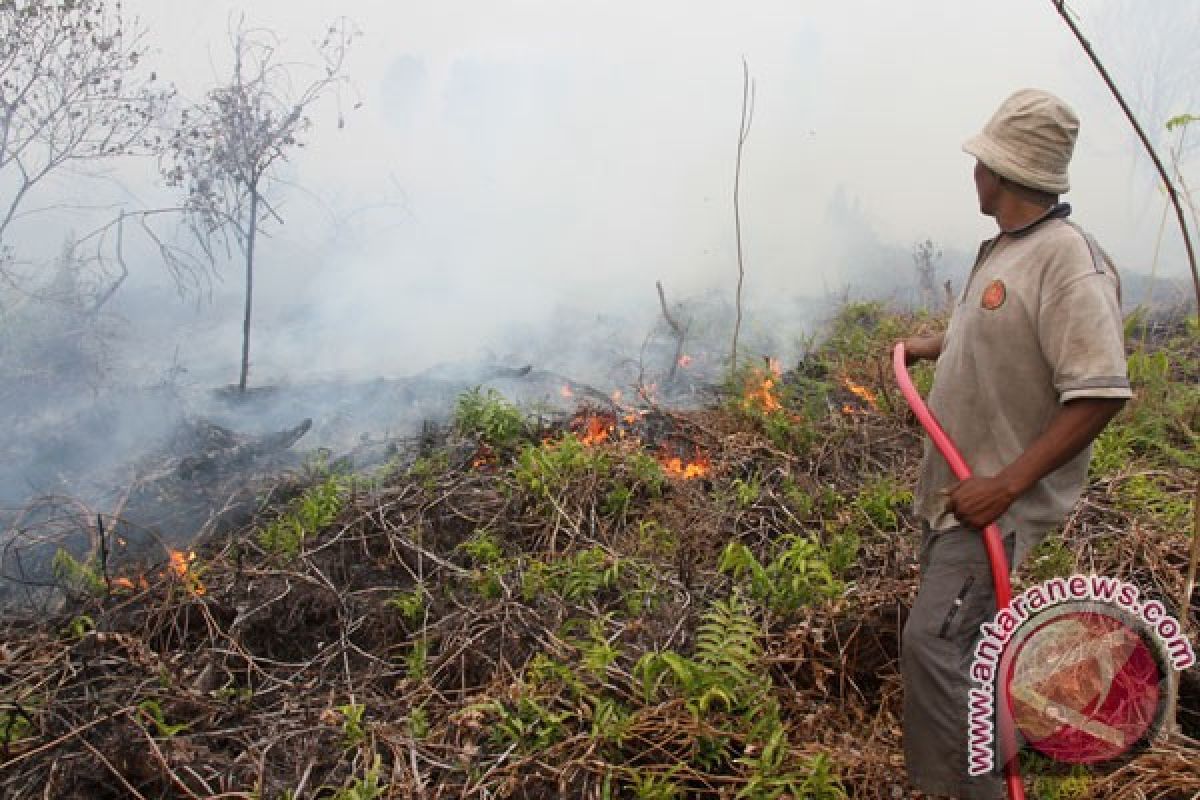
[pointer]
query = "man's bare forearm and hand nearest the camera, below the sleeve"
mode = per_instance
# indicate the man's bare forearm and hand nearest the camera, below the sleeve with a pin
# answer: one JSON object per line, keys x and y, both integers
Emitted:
{"x": 979, "y": 502}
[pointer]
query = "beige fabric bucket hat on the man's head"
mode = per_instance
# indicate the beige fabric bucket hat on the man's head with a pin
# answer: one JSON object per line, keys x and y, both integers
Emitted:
{"x": 1029, "y": 141}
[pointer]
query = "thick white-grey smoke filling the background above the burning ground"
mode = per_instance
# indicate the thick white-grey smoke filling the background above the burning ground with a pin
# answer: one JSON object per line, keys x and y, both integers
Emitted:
{"x": 521, "y": 175}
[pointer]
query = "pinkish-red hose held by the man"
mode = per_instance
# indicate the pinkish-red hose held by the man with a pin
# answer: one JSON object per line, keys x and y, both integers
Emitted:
{"x": 992, "y": 540}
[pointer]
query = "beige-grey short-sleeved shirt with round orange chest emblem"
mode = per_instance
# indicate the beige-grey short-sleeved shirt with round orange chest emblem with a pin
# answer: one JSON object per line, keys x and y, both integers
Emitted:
{"x": 1039, "y": 324}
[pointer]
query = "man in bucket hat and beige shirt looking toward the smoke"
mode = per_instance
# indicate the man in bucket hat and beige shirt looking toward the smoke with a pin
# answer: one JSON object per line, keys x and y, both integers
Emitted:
{"x": 1030, "y": 371}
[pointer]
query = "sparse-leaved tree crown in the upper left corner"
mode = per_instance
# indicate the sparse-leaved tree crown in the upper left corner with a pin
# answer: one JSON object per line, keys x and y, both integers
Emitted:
{"x": 70, "y": 93}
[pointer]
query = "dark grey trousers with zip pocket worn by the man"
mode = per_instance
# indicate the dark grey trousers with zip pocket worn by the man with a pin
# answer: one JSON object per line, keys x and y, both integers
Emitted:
{"x": 955, "y": 599}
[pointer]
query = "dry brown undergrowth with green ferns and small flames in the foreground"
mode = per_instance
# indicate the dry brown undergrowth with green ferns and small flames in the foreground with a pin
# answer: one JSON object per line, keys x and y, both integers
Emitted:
{"x": 621, "y": 603}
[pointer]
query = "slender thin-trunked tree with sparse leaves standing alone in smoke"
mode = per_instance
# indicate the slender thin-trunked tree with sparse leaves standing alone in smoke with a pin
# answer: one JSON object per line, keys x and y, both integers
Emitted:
{"x": 226, "y": 149}
